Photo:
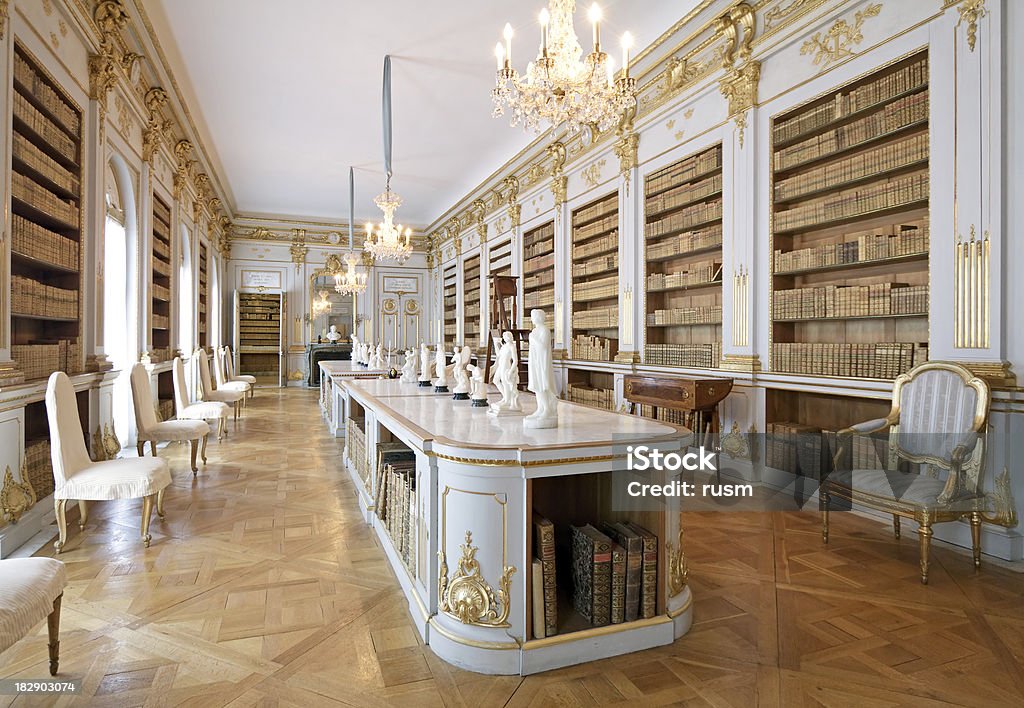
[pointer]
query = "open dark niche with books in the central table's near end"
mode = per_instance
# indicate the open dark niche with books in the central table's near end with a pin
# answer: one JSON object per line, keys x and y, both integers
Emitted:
{"x": 592, "y": 566}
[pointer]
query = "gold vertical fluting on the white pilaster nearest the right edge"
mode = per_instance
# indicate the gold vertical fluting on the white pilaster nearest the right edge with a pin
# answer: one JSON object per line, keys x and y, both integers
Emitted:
{"x": 971, "y": 298}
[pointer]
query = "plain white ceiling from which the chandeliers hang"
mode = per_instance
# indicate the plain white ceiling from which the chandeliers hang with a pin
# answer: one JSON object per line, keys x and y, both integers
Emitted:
{"x": 287, "y": 96}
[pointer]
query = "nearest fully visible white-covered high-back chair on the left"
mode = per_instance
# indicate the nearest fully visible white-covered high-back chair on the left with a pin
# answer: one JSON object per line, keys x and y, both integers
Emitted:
{"x": 78, "y": 478}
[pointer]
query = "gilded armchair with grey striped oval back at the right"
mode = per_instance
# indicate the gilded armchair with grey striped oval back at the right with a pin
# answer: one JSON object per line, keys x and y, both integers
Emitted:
{"x": 937, "y": 423}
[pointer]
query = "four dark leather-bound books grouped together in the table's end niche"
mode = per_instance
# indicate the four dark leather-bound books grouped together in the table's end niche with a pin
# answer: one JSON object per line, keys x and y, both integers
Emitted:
{"x": 615, "y": 573}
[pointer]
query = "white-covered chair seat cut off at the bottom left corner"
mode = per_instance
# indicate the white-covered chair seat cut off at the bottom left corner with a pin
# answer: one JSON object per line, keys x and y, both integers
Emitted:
{"x": 30, "y": 592}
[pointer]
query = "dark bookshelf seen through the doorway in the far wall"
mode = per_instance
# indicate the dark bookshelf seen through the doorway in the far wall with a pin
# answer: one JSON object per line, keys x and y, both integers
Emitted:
{"x": 260, "y": 336}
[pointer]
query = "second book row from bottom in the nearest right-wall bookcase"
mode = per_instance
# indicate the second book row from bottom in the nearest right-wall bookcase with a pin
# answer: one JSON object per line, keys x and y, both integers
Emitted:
{"x": 878, "y": 300}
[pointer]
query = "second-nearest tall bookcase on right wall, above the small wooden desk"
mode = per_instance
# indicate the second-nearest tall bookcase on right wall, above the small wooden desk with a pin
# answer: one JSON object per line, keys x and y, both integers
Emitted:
{"x": 684, "y": 277}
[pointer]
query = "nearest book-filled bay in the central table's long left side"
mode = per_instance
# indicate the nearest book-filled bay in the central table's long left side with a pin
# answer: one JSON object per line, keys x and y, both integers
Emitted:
{"x": 396, "y": 504}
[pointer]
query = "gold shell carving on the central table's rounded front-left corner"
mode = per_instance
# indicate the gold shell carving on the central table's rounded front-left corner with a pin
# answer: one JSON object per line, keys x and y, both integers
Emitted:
{"x": 467, "y": 597}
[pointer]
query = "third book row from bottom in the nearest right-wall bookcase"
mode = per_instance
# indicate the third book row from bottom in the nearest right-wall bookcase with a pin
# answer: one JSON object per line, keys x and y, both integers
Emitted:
{"x": 895, "y": 241}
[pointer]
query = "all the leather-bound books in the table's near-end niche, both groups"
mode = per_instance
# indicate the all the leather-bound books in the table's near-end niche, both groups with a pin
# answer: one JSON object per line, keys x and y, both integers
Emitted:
{"x": 614, "y": 574}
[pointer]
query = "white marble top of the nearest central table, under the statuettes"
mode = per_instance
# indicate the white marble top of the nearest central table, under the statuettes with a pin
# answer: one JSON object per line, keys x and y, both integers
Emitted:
{"x": 456, "y": 424}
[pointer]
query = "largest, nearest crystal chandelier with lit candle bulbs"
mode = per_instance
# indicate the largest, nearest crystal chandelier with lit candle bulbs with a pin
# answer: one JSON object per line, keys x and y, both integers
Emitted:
{"x": 561, "y": 86}
